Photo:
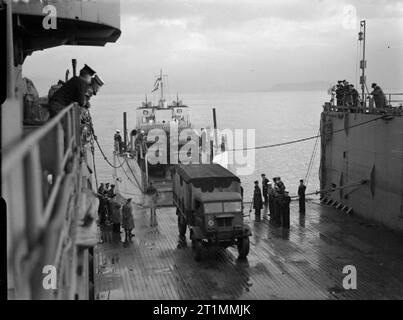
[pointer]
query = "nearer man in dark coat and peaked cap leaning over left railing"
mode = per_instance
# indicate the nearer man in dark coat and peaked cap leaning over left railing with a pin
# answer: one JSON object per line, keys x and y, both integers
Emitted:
{"x": 73, "y": 90}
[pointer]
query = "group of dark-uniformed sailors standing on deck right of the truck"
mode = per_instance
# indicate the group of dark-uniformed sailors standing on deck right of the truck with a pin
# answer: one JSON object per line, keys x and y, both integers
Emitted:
{"x": 275, "y": 200}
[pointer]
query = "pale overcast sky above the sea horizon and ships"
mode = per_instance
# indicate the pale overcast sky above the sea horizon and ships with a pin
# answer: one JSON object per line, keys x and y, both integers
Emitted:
{"x": 230, "y": 45}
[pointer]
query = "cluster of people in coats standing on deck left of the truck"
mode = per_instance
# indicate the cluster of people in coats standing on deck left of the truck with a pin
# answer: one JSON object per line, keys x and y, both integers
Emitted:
{"x": 111, "y": 212}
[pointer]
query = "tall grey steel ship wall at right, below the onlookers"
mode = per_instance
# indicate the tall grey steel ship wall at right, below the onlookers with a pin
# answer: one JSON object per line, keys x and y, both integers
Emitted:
{"x": 362, "y": 160}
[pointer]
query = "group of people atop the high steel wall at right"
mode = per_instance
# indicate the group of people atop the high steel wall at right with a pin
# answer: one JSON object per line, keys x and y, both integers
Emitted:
{"x": 347, "y": 96}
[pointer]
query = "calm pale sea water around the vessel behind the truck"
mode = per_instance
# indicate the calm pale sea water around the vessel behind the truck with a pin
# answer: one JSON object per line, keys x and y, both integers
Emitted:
{"x": 276, "y": 117}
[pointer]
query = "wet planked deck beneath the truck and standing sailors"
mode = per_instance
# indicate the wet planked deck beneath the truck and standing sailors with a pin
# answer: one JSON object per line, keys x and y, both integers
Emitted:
{"x": 305, "y": 262}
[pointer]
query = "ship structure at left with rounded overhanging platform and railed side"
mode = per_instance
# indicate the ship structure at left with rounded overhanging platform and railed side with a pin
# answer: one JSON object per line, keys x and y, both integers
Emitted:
{"x": 47, "y": 180}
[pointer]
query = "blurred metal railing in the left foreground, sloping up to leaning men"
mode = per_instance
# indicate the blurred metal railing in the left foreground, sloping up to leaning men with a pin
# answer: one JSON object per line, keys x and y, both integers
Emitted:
{"x": 33, "y": 172}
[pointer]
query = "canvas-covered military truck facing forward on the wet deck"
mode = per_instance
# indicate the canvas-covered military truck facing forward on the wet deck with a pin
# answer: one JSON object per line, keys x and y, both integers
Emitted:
{"x": 208, "y": 200}
